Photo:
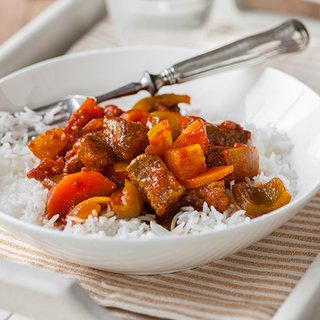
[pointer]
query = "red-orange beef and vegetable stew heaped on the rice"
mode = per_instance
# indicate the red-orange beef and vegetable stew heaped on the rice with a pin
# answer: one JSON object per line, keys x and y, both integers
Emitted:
{"x": 149, "y": 159}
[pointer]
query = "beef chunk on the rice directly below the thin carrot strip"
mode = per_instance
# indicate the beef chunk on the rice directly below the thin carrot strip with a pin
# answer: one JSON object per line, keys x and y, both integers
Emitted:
{"x": 214, "y": 194}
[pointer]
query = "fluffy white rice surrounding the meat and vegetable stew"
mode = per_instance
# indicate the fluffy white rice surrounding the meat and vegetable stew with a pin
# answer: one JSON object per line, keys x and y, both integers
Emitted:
{"x": 25, "y": 198}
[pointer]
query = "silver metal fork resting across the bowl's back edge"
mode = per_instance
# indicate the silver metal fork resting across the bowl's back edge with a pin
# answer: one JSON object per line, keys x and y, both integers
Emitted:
{"x": 290, "y": 36}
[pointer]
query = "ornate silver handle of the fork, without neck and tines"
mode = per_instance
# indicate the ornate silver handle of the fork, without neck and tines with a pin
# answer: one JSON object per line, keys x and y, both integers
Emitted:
{"x": 290, "y": 36}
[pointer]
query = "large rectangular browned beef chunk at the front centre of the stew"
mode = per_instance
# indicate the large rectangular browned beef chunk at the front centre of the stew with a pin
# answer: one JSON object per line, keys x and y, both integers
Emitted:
{"x": 159, "y": 186}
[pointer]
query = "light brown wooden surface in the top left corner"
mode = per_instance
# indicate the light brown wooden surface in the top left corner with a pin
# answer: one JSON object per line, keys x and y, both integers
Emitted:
{"x": 14, "y": 14}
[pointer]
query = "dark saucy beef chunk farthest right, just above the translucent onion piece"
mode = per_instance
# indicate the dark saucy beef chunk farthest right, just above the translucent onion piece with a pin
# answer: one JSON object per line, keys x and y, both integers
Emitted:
{"x": 227, "y": 134}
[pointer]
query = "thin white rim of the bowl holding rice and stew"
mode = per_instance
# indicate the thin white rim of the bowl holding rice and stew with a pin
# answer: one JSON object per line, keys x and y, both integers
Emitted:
{"x": 33, "y": 228}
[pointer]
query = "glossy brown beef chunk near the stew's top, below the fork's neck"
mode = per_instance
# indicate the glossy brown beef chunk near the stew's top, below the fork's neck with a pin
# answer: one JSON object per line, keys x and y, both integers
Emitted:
{"x": 127, "y": 139}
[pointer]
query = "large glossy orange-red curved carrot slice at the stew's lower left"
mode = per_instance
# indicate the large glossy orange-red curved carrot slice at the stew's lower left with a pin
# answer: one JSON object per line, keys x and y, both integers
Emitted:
{"x": 74, "y": 188}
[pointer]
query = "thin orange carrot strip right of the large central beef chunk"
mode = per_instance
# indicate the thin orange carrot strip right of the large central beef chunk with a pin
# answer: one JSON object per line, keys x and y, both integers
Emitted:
{"x": 212, "y": 174}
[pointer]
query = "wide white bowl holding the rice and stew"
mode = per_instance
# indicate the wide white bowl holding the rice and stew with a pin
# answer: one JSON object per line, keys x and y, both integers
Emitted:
{"x": 254, "y": 95}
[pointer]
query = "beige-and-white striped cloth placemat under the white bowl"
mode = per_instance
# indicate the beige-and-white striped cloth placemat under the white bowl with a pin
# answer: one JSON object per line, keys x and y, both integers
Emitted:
{"x": 251, "y": 284}
